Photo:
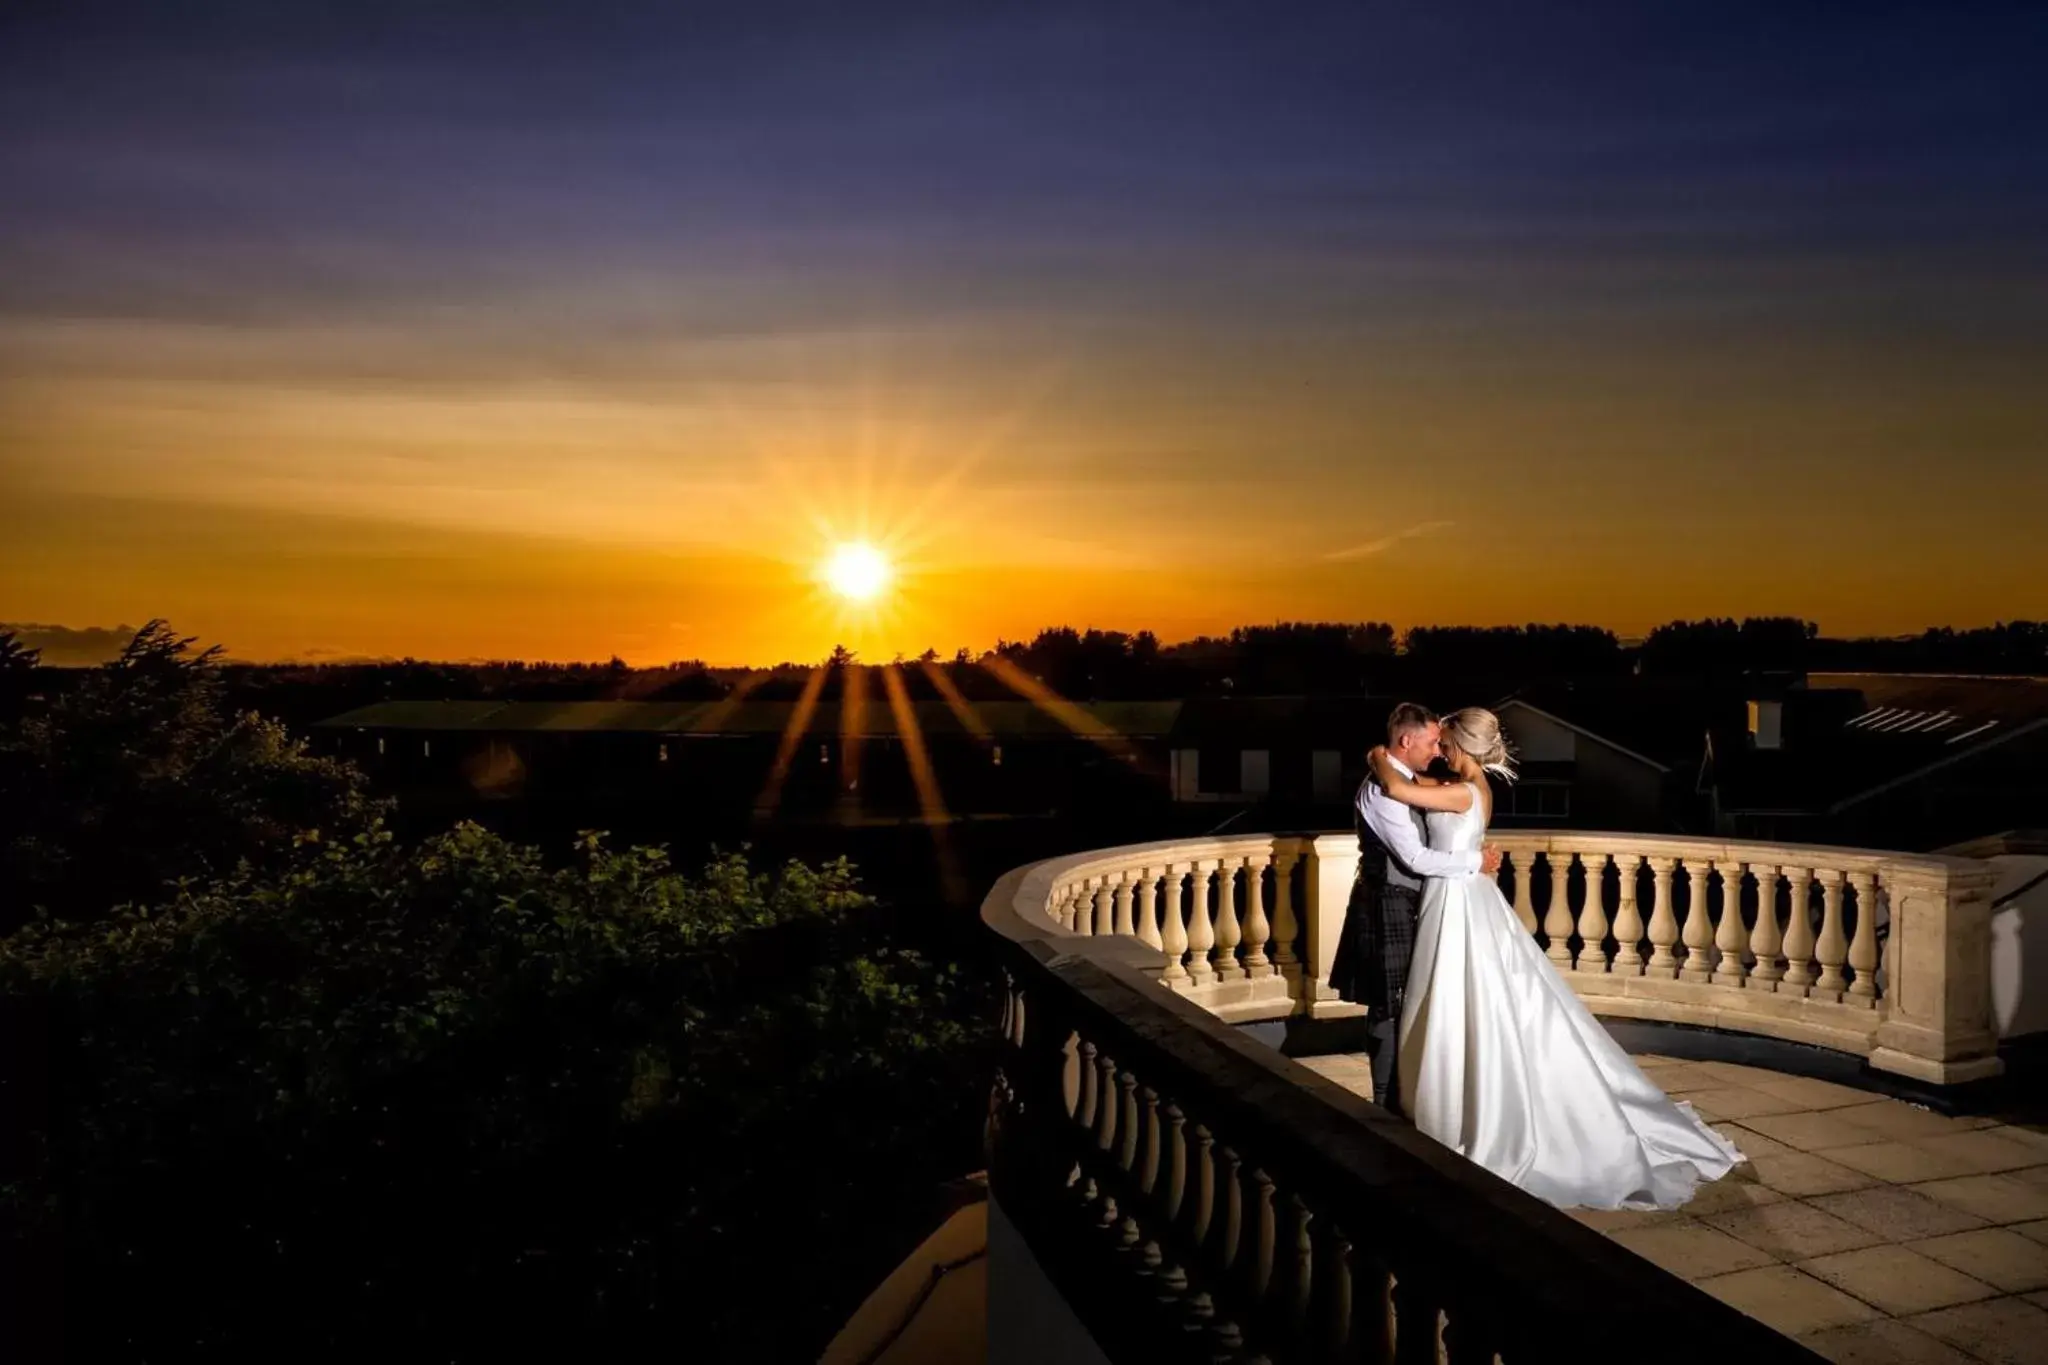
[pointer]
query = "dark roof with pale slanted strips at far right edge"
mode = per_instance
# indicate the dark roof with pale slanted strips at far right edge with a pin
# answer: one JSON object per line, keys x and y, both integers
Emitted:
{"x": 1869, "y": 734}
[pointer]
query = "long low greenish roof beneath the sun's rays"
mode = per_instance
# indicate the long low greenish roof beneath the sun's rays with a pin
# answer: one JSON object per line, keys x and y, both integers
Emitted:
{"x": 878, "y": 719}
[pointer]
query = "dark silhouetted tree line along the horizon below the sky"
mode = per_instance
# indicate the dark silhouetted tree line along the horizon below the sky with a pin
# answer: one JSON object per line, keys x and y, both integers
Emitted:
{"x": 1273, "y": 660}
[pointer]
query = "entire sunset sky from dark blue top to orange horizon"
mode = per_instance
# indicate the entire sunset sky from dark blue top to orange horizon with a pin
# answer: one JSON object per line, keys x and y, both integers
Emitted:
{"x": 437, "y": 335}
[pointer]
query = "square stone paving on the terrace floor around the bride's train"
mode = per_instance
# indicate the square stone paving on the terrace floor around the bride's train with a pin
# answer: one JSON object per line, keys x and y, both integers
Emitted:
{"x": 1869, "y": 1229}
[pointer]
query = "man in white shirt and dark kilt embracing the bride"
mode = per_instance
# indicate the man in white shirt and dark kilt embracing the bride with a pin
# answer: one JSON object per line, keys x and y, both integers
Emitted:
{"x": 1379, "y": 928}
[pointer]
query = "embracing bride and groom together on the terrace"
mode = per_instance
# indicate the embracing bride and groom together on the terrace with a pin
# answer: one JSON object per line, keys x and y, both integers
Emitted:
{"x": 1474, "y": 1034}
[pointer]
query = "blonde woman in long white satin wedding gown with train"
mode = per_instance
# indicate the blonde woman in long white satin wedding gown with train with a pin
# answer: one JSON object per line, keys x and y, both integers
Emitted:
{"x": 1500, "y": 1061}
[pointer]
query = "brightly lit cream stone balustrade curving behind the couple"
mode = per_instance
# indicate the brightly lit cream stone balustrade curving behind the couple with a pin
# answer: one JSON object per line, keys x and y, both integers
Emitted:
{"x": 1867, "y": 953}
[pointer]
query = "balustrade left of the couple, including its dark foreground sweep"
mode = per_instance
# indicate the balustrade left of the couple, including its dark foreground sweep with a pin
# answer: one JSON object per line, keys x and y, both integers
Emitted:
{"x": 1179, "y": 1192}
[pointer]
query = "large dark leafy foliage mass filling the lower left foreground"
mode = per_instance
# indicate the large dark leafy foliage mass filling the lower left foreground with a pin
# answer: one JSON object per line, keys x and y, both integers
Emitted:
{"x": 454, "y": 1096}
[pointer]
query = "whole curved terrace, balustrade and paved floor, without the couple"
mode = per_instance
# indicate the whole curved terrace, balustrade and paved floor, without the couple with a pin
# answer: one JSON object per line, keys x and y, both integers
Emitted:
{"x": 1170, "y": 1184}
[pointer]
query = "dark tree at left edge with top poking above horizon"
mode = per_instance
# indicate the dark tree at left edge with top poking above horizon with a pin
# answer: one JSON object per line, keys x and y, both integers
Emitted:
{"x": 138, "y": 777}
